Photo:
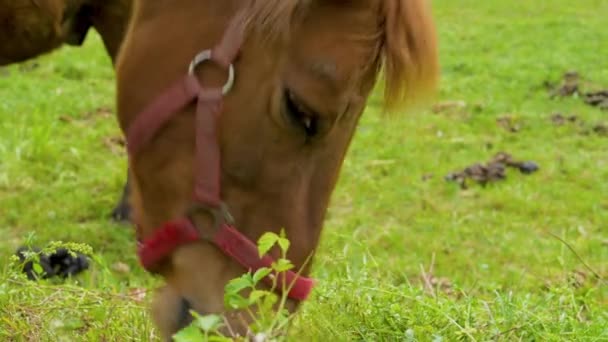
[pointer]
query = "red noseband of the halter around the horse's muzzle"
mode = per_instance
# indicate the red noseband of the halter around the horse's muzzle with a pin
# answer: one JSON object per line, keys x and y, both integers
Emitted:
{"x": 230, "y": 241}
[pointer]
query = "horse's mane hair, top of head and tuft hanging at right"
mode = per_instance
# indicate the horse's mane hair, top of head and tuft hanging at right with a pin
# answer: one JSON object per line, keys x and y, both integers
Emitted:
{"x": 407, "y": 42}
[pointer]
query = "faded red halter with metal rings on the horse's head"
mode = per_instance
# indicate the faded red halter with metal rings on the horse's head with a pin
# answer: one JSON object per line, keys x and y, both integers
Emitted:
{"x": 172, "y": 235}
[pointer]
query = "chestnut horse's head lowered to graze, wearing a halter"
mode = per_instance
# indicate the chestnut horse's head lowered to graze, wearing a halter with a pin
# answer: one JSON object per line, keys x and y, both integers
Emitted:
{"x": 303, "y": 75}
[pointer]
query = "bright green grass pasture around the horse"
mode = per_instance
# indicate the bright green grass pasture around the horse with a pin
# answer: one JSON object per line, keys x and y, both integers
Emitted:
{"x": 504, "y": 273}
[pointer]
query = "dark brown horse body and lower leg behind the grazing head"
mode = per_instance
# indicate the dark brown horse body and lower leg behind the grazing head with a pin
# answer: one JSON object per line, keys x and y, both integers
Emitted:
{"x": 30, "y": 28}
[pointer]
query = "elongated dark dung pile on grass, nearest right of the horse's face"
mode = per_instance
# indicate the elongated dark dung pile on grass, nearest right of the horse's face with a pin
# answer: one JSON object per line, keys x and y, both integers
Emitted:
{"x": 492, "y": 171}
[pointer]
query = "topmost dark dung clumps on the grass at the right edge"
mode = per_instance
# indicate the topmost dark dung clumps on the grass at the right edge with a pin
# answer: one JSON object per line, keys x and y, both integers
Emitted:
{"x": 572, "y": 84}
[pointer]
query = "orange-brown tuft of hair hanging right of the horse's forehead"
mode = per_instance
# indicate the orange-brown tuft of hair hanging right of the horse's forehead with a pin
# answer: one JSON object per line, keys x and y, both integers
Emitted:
{"x": 411, "y": 65}
